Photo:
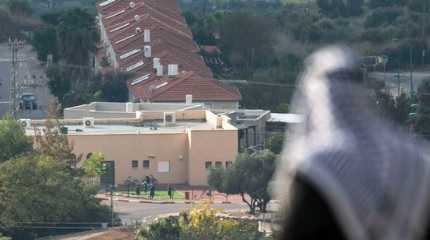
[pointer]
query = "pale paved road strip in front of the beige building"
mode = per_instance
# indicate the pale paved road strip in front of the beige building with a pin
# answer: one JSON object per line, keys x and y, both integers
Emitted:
{"x": 132, "y": 212}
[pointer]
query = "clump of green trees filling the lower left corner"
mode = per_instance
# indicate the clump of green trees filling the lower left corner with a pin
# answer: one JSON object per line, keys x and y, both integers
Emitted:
{"x": 42, "y": 184}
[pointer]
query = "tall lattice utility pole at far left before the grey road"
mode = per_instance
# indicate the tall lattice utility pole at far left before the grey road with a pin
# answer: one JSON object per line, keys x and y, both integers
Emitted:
{"x": 14, "y": 45}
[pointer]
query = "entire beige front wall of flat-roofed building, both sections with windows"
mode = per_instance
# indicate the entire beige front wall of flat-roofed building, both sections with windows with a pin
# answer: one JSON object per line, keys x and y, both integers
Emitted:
{"x": 187, "y": 153}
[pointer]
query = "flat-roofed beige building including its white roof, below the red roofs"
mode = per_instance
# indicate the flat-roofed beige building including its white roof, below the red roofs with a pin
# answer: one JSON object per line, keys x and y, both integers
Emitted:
{"x": 175, "y": 147}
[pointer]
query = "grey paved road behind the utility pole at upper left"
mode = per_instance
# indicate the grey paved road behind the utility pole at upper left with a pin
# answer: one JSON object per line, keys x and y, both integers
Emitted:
{"x": 31, "y": 79}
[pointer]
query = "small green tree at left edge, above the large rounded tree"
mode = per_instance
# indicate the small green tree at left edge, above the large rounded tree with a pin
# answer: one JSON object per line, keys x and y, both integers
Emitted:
{"x": 13, "y": 141}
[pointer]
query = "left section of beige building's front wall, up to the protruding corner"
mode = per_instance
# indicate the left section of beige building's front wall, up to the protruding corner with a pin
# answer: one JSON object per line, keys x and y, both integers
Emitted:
{"x": 124, "y": 148}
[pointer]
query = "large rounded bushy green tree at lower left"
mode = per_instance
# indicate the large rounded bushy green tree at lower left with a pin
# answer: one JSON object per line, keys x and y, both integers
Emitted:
{"x": 37, "y": 188}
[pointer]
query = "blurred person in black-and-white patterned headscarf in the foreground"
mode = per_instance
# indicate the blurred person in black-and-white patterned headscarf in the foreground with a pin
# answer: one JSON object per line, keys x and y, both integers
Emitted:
{"x": 345, "y": 174}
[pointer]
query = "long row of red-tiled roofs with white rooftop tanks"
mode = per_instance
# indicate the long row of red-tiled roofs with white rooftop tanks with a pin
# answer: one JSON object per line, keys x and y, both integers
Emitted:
{"x": 151, "y": 40}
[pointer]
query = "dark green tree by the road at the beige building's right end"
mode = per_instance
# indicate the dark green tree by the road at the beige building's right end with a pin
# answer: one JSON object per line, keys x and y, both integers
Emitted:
{"x": 249, "y": 176}
